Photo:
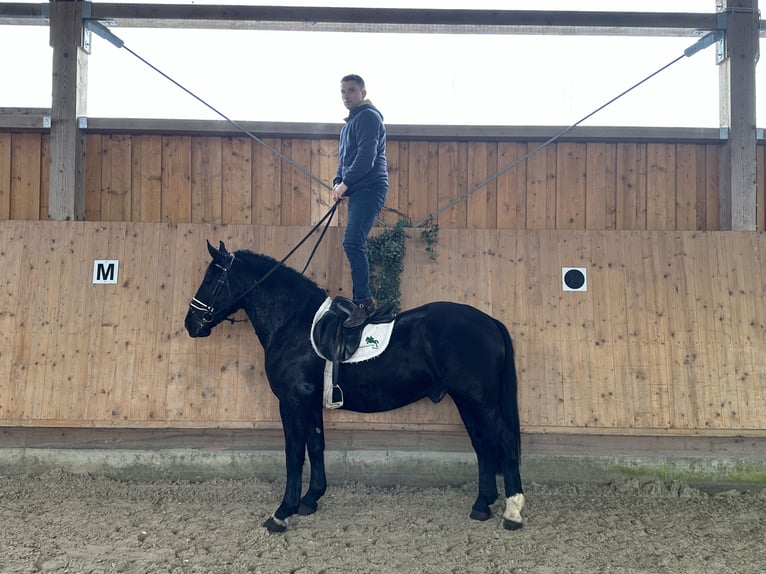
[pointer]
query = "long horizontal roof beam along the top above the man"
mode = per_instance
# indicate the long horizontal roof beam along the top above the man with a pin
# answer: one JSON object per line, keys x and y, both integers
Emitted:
{"x": 382, "y": 20}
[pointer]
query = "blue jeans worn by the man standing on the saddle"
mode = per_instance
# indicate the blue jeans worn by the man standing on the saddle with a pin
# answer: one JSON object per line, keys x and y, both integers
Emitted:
{"x": 363, "y": 207}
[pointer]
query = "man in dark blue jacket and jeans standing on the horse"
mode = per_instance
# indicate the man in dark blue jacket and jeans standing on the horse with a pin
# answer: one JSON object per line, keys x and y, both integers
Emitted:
{"x": 362, "y": 177}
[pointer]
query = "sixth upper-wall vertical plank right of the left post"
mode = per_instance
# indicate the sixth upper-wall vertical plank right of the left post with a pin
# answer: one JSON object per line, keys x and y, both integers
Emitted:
{"x": 237, "y": 176}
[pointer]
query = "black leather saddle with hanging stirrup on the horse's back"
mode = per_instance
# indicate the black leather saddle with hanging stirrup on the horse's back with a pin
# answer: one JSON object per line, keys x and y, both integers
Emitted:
{"x": 337, "y": 344}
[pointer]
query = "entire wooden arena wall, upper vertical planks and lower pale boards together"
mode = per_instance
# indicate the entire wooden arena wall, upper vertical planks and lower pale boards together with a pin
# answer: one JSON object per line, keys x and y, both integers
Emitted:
{"x": 665, "y": 342}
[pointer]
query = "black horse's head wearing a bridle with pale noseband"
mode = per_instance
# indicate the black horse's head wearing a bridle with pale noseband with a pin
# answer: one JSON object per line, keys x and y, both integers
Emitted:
{"x": 213, "y": 301}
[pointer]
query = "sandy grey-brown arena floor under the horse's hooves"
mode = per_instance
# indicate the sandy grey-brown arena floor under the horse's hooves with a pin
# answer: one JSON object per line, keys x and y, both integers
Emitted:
{"x": 61, "y": 522}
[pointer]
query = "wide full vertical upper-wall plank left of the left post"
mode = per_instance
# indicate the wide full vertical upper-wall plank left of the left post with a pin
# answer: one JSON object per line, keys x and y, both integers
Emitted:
{"x": 26, "y": 152}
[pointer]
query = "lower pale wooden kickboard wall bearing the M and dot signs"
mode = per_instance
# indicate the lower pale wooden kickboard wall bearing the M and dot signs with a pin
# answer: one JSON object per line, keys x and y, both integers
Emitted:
{"x": 667, "y": 339}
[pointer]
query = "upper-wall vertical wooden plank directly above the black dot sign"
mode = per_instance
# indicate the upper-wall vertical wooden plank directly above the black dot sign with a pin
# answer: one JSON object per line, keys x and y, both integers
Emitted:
{"x": 570, "y": 185}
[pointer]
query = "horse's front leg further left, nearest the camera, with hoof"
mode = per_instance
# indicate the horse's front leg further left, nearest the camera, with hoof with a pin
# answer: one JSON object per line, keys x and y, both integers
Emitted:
{"x": 294, "y": 424}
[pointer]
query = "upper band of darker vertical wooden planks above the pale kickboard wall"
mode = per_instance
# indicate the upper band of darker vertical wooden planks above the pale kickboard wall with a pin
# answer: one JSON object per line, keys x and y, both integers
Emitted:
{"x": 212, "y": 179}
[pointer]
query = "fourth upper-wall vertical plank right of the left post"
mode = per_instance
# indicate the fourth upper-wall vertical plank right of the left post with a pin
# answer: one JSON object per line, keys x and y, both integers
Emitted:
{"x": 176, "y": 179}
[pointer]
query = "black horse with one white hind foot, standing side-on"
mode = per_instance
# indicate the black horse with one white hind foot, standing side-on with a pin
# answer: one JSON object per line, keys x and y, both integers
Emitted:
{"x": 437, "y": 349}
